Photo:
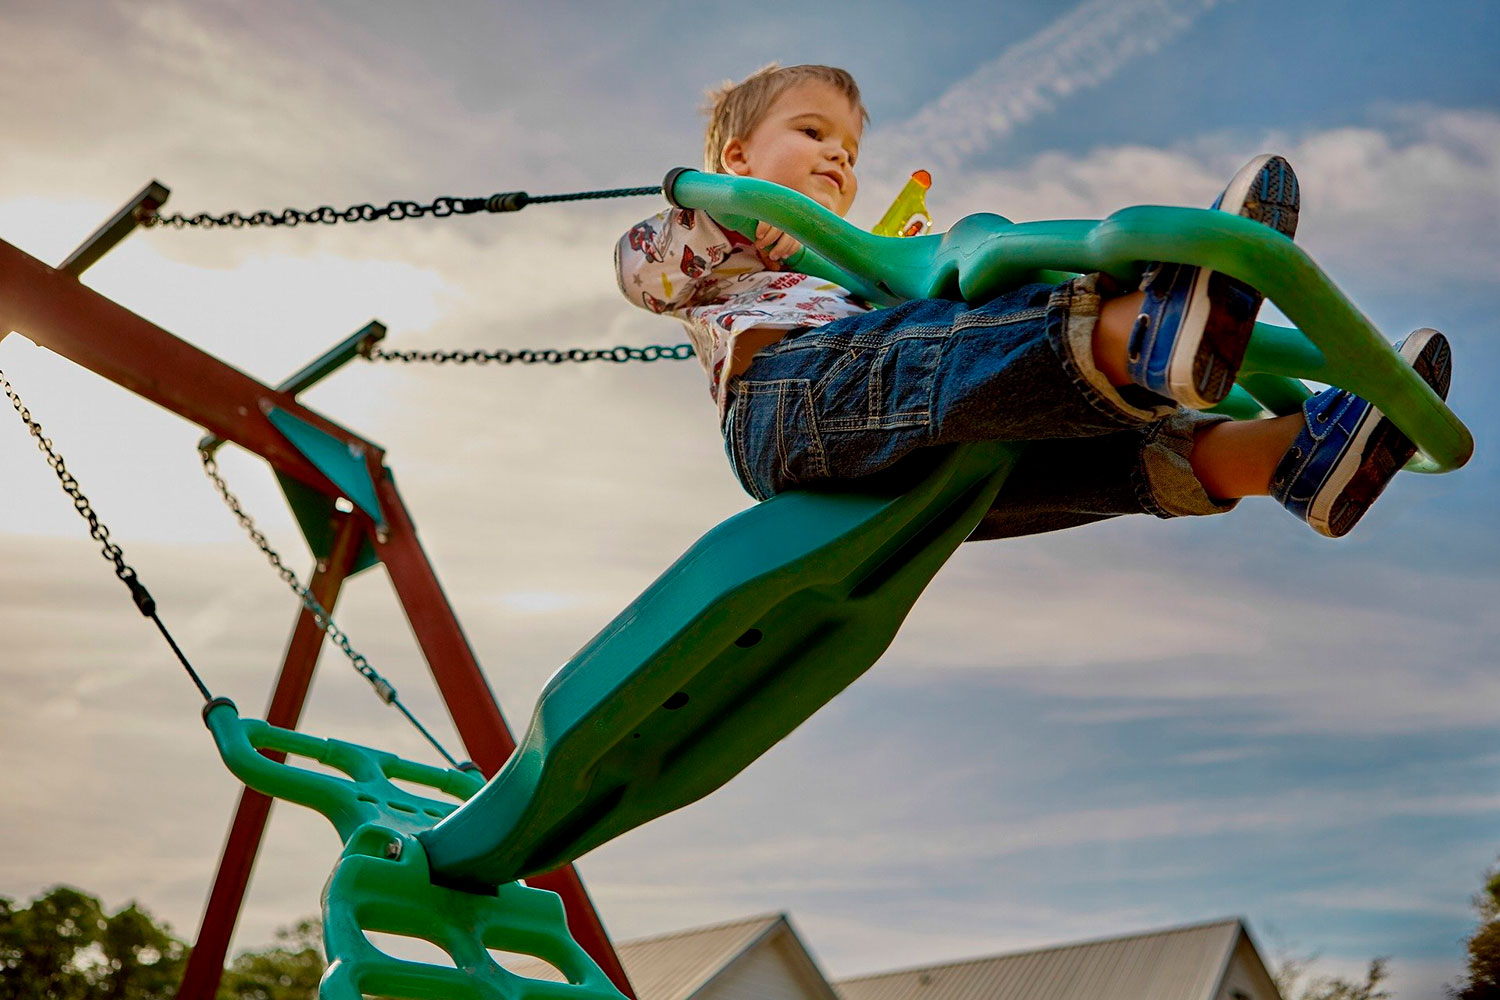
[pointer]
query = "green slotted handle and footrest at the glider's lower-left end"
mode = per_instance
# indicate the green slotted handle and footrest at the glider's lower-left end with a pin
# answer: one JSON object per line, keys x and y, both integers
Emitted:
{"x": 382, "y": 884}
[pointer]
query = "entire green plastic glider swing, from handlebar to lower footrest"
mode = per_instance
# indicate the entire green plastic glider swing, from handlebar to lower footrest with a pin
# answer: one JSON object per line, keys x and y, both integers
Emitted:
{"x": 766, "y": 618}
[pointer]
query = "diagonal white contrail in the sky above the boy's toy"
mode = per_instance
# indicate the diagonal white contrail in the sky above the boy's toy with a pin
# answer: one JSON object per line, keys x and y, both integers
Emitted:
{"x": 1082, "y": 50}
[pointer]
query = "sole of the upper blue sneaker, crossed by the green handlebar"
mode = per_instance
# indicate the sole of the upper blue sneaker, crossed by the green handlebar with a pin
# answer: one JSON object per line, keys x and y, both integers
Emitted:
{"x": 1262, "y": 191}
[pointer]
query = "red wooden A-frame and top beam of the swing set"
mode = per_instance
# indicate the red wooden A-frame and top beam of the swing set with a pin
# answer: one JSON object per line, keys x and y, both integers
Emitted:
{"x": 53, "y": 310}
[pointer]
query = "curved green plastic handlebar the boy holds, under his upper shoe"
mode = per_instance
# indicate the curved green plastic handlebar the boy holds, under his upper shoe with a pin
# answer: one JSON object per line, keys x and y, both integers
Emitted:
{"x": 985, "y": 256}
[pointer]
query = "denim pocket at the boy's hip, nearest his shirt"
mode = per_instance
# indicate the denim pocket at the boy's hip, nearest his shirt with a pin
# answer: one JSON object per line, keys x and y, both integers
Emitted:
{"x": 776, "y": 440}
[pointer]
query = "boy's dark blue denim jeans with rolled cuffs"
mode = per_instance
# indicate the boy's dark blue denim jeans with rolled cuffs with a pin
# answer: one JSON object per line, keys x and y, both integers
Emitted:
{"x": 857, "y": 395}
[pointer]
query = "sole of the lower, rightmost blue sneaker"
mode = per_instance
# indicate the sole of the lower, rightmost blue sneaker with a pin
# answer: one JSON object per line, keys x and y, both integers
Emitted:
{"x": 1379, "y": 449}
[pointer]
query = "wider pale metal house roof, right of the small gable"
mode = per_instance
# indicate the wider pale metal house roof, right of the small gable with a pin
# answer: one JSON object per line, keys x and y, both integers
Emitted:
{"x": 1181, "y": 963}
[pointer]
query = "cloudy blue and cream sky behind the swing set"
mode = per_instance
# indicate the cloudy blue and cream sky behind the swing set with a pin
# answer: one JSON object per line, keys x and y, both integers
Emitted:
{"x": 1112, "y": 729}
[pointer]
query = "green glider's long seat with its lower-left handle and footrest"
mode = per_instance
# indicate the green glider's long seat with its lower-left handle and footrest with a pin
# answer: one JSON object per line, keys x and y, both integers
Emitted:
{"x": 757, "y": 627}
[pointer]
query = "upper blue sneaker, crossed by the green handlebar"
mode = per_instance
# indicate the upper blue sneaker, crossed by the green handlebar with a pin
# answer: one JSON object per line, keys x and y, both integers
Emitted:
{"x": 1195, "y": 323}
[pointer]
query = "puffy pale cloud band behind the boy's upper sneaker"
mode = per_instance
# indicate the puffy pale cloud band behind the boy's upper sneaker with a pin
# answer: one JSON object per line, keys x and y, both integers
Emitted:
{"x": 1397, "y": 206}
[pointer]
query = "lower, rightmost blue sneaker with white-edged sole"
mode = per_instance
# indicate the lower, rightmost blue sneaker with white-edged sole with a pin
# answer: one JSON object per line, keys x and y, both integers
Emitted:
{"x": 1349, "y": 452}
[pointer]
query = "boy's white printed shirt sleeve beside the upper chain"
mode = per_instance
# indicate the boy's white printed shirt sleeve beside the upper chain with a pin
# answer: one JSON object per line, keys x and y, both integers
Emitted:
{"x": 667, "y": 263}
